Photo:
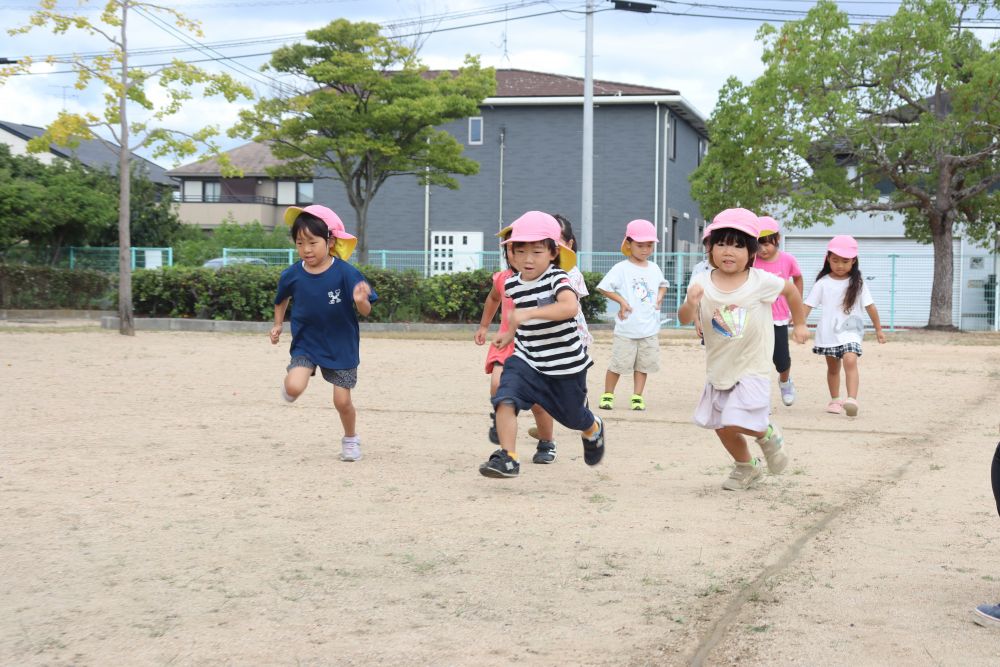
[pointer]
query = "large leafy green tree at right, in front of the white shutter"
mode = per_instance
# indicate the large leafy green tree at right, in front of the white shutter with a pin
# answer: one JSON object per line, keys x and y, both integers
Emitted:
{"x": 911, "y": 104}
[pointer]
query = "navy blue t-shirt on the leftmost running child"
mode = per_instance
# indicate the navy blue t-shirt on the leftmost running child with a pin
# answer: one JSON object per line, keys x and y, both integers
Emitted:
{"x": 324, "y": 323}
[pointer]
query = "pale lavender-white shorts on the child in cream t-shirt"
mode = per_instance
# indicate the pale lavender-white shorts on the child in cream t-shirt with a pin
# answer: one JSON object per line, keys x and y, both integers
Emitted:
{"x": 746, "y": 404}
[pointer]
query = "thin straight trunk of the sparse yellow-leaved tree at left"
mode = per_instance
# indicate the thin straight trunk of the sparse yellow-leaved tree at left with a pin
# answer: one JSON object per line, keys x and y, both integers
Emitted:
{"x": 126, "y": 326}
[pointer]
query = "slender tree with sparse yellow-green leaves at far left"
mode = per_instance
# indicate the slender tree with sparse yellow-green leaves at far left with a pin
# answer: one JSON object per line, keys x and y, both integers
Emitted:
{"x": 124, "y": 88}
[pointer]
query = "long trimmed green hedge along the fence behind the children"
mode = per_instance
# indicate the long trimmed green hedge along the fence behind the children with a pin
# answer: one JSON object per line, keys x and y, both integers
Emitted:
{"x": 245, "y": 292}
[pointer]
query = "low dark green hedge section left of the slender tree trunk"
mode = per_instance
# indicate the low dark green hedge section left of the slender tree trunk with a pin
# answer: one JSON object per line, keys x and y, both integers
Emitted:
{"x": 24, "y": 286}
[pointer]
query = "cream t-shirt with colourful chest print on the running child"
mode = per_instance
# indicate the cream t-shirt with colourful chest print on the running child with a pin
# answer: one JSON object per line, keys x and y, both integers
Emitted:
{"x": 739, "y": 327}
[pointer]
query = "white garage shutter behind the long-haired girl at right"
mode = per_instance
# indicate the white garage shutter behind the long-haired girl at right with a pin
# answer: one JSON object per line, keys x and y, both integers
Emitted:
{"x": 899, "y": 273}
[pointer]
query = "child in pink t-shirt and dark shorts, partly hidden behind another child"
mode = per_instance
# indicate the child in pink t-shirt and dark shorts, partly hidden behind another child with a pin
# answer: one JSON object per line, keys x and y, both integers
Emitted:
{"x": 785, "y": 266}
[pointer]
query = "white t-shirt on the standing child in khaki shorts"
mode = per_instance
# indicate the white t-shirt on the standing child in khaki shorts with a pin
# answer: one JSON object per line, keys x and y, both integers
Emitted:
{"x": 638, "y": 285}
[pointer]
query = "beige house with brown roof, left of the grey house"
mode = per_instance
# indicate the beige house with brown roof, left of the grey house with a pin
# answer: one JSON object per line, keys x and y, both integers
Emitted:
{"x": 207, "y": 199}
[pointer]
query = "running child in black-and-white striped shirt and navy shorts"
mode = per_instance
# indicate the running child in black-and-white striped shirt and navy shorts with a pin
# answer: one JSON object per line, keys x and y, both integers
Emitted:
{"x": 549, "y": 364}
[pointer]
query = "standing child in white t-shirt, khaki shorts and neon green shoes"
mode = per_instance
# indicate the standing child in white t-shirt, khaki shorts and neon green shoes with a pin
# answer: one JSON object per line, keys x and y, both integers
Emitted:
{"x": 637, "y": 285}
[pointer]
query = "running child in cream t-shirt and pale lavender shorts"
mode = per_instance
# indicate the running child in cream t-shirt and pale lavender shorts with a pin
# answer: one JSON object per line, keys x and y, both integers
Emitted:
{"x": 734, "y": 300}
